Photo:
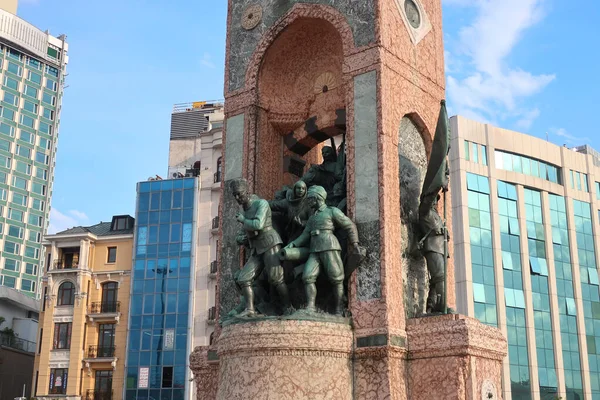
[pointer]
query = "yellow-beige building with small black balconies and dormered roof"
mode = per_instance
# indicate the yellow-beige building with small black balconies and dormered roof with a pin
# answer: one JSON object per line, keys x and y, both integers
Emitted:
{"x": 83, "y": 320}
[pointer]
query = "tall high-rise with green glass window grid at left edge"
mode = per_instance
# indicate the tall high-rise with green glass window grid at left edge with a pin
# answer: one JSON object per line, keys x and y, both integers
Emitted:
{"x": 33, "y": 65}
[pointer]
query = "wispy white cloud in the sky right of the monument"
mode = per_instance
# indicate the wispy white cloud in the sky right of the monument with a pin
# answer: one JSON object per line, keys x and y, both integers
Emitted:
{"x": 488, "y": 86}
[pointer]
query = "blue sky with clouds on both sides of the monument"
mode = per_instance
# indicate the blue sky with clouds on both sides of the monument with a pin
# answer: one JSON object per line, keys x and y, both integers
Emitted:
{"x": 527, "y": 65}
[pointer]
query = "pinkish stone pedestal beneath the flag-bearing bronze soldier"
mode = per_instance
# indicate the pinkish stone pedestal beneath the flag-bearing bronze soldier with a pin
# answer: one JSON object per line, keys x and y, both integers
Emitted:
{"x": 454, "y": 357}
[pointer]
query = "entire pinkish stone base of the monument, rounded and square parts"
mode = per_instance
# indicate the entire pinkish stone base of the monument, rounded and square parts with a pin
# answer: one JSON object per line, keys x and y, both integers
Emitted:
{"x": 449, "y": 357}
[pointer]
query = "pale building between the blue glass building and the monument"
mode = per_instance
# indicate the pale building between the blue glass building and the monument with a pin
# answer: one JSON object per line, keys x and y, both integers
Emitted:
{"x": 195, "y": 150}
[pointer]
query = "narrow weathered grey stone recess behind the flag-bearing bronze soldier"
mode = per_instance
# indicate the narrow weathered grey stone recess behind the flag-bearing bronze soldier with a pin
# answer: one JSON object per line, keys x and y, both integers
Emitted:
{"x": 413, "y": 165}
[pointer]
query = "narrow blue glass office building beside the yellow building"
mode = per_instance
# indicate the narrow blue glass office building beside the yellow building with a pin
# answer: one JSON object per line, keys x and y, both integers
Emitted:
{"x": 161, "y": 308}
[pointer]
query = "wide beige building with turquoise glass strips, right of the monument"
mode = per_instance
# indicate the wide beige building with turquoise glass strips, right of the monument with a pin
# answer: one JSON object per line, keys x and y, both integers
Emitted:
{"x": 526, "y": 226}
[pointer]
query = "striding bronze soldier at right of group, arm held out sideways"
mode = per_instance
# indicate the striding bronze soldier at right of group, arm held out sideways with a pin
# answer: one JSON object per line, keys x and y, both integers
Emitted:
{"x": 325, "y": 249}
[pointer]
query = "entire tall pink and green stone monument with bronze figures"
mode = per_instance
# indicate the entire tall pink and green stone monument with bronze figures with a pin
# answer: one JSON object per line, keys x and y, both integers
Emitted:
{"x": 352, "y": 89}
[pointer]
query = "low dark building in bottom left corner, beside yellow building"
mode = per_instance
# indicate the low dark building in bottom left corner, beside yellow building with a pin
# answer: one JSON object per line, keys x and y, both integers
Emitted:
{"x": 18, "y": 331}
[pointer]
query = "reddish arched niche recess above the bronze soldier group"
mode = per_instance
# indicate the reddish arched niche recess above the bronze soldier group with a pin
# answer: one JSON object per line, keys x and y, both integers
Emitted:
{"x": 301, "y": 97}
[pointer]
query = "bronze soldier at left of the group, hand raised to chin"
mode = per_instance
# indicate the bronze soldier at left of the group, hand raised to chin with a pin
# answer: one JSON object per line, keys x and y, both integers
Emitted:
{"x": 264, "y": 243}
